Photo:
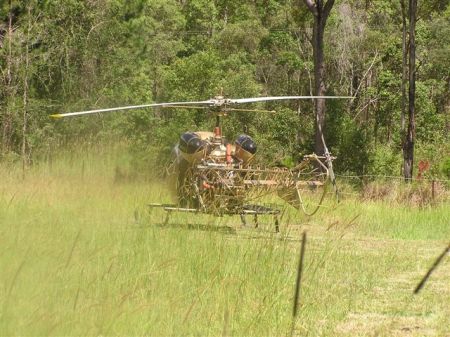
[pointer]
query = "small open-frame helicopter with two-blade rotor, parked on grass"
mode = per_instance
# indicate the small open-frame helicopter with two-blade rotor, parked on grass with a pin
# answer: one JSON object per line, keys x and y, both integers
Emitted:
{"x": 215, "y": 176}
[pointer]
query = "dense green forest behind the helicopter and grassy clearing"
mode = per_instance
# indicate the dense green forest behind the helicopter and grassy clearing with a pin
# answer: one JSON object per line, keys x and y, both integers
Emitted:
{"x": 71, "y": 55}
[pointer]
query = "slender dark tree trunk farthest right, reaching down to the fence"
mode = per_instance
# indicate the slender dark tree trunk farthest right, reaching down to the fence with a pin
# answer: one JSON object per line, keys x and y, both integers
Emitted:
{"x": 408, "y": 147}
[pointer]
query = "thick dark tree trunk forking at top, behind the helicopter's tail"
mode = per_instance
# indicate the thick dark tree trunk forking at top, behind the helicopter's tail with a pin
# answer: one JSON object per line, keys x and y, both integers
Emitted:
{"x": 320, "y": 11}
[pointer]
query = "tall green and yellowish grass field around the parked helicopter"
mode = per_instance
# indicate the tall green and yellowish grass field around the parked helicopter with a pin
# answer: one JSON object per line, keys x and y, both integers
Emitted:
{"x": 81, "y": 255}
